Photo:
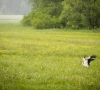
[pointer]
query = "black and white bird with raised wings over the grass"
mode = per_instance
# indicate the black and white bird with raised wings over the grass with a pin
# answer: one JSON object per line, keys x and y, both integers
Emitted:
{"x": 86, "y": 61}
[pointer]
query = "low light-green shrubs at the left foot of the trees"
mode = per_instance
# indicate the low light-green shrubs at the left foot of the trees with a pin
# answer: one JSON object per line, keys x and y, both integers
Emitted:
{"x": 40, "y": 20}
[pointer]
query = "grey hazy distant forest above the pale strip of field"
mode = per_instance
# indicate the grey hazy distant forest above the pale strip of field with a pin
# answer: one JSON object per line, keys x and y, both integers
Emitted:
{"x": 14, "y": 7}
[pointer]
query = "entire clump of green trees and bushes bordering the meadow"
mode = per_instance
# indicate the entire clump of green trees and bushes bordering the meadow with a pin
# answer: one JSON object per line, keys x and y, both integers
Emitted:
{"x": 75, "y": 14}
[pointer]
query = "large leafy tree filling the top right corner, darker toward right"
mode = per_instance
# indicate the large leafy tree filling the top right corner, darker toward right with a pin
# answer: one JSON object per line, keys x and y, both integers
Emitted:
{"x": 81, "y": 13}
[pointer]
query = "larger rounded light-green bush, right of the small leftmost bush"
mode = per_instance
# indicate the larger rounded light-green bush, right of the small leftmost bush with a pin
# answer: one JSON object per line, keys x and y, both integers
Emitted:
{"x": 43, "y": 20}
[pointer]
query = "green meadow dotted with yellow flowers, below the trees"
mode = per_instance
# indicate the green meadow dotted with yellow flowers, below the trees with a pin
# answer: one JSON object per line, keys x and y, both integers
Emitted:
{"x": 48, "y": 59}
